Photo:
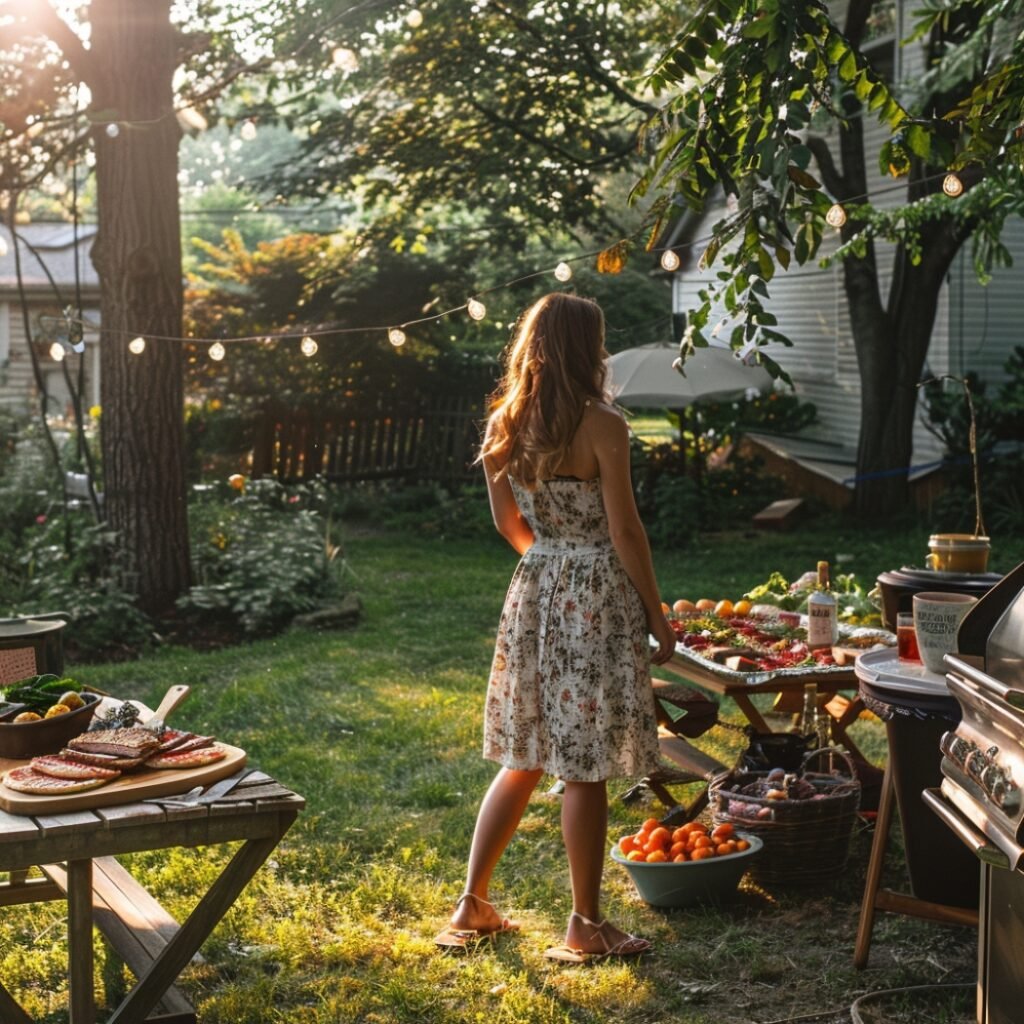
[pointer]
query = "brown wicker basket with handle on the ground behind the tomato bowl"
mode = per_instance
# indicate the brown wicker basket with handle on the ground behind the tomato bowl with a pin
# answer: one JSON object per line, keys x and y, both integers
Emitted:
{"x": 805, "y": 841}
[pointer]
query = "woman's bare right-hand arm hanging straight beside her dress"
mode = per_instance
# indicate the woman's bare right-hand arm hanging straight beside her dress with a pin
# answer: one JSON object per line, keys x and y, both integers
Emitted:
{"x": 611, "y": 441}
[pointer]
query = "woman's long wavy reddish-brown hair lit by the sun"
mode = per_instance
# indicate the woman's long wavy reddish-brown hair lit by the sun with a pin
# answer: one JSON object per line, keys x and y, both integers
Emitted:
{"x": 552, "y": 366}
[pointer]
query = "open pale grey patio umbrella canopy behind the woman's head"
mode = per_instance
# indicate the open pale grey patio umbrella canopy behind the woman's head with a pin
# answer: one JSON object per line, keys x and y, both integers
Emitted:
{"x": 644, "y": 378}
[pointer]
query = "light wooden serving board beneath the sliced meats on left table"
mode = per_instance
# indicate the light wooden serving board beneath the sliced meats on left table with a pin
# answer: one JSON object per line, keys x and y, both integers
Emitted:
{"x": 126, "y": 790}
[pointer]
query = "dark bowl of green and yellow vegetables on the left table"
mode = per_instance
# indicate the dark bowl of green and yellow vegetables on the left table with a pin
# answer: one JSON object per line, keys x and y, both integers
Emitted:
{"x": 41, "y": 714}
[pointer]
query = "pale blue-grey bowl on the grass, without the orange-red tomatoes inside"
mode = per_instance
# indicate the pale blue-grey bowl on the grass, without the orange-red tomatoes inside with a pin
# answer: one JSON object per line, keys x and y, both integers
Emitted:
{"x": 688, "y": 883}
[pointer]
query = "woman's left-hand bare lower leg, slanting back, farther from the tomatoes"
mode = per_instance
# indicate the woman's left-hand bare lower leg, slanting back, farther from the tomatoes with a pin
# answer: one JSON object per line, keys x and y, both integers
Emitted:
{"x": 497, "y": 822}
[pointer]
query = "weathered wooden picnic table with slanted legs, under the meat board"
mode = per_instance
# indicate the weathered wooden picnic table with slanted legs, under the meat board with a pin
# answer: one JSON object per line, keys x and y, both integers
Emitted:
{"x": 78, "y": 855}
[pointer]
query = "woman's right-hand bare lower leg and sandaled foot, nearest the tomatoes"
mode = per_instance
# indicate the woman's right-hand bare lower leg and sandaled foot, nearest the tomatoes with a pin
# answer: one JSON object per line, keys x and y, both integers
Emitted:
{"x": 585, "y": 828}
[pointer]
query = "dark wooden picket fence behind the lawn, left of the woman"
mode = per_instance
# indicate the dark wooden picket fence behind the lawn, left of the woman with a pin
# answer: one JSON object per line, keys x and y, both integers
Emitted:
{"x": 434, "y": 441}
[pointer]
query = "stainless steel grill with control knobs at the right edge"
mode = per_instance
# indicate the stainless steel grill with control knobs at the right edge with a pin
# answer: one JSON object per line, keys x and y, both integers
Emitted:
{"x": 982, "y": 797}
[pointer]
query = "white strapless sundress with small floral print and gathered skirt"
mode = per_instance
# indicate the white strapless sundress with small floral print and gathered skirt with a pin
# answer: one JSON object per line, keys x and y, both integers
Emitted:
{"x": 570, "y": 689}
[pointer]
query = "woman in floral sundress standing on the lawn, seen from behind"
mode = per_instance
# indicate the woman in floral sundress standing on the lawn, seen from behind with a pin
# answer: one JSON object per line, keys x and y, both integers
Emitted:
{"x": 570, "y": 693}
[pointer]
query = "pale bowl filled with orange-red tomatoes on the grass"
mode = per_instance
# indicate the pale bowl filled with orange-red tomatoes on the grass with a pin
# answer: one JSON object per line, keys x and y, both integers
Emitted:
{"x": 684, "y": 867}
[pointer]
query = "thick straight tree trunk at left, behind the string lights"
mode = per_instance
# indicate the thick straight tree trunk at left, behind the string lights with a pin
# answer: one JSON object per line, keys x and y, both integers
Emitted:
{"x": 139, "y": 259}
